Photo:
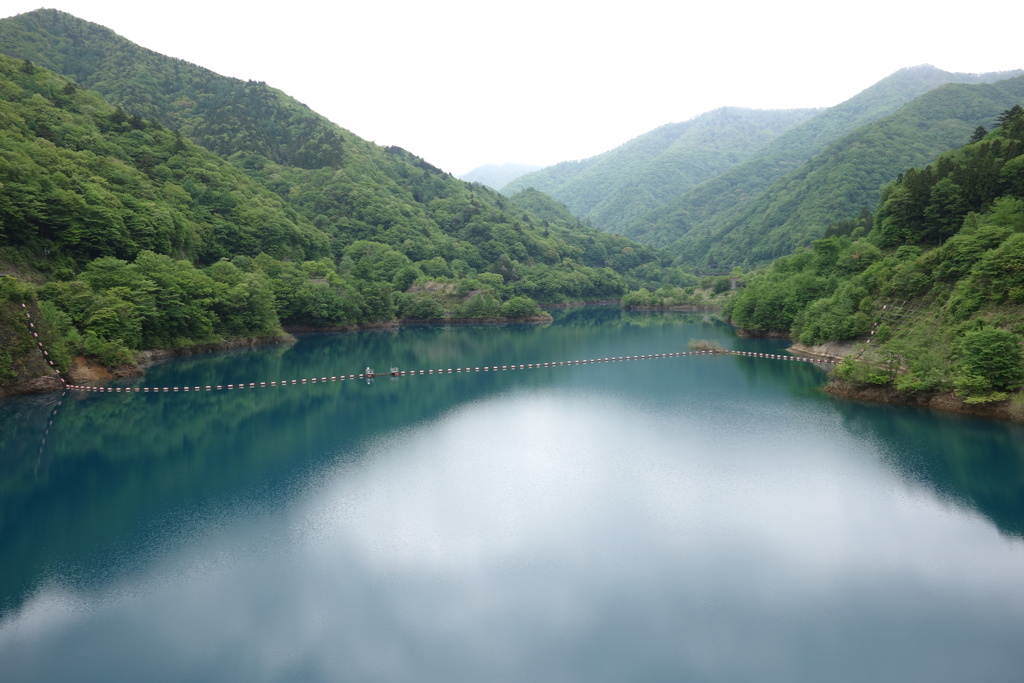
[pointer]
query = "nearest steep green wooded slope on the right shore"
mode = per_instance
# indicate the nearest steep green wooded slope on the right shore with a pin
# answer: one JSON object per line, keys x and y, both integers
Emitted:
{"x": 933, "y": 293}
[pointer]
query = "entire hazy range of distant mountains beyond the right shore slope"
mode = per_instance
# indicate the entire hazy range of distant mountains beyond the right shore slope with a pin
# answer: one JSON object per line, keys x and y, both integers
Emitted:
{"x": 674, "y": 188}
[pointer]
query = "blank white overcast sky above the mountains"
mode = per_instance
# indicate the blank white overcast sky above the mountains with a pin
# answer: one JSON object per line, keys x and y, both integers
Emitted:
{"x": 466, "y": 82}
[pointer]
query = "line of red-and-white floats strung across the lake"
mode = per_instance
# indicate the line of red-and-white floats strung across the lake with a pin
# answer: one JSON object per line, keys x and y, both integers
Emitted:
{"x": 370, "y": 374}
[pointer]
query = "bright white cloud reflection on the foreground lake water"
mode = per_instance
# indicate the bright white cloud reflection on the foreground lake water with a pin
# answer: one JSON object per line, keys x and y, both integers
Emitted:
{"x": 540, "y": 541}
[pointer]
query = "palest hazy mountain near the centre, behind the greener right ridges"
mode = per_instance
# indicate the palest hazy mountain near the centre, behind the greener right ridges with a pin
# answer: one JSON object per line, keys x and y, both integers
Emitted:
{"x": 617, "y": 188}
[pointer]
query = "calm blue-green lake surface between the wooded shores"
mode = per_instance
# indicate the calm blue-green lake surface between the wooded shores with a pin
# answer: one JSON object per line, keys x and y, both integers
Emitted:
{"x": 697, "y": 519}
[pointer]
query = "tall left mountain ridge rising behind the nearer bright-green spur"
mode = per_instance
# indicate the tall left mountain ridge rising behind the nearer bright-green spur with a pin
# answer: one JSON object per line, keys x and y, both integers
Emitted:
{"x": 348, "y": 188}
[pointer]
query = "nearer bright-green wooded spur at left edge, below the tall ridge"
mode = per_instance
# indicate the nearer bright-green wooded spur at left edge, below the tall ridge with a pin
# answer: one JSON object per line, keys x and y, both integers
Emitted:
{"x": 82, "y": 180}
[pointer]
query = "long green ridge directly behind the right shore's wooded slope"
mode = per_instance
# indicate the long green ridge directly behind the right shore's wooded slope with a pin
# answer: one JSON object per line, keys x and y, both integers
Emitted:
{"x": 845, "y": 179}
